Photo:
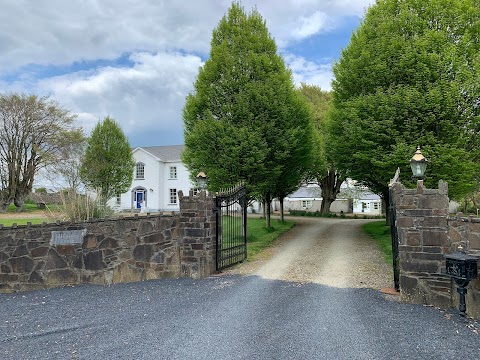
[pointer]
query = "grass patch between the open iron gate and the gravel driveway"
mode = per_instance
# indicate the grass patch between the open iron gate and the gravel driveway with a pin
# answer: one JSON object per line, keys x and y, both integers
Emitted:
{"x": 259, "y": 237}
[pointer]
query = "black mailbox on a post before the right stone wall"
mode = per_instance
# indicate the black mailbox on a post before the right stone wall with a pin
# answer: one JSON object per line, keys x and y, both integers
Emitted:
{"x": 462, "y": 268}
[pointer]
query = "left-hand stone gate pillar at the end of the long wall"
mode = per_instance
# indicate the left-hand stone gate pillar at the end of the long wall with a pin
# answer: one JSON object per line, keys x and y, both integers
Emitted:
{"x": 197, "y": 235}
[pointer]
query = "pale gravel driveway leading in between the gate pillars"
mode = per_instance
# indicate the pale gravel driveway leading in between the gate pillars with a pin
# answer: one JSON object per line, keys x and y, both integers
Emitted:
{"x": 333, "y": 252}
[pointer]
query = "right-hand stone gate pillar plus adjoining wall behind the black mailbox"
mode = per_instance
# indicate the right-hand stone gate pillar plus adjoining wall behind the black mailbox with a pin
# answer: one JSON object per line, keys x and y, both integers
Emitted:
{"x": 426, "y": 234}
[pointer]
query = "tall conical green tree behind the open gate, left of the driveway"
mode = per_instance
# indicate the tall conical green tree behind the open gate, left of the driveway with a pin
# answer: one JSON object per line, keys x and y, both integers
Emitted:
{"x": 244, "y": 120}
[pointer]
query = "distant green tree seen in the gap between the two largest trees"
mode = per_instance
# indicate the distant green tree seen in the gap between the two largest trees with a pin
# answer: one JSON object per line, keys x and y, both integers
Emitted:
{"x": 322, "y": 170}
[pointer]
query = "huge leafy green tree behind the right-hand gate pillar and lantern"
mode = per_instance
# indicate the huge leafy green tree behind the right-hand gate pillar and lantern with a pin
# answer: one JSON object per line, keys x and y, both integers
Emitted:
{"x": 409, "y": 77}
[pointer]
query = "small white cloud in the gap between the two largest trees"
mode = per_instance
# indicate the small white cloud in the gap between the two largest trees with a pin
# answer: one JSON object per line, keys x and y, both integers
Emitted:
{"x": 310, "y": 72}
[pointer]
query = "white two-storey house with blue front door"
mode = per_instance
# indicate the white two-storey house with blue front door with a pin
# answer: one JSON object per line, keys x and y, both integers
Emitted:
{"x": 159, "y": 175}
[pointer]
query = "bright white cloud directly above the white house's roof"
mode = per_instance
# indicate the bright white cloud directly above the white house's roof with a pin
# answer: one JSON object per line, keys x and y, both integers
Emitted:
{"x": 147, "y": 97}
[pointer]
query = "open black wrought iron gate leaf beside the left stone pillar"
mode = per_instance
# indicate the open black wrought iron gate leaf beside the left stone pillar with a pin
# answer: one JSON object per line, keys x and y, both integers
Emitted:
{"x": 231, "y": 226}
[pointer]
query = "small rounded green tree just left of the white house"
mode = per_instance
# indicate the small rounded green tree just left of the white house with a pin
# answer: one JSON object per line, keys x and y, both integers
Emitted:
{"x": 108, "y": 162}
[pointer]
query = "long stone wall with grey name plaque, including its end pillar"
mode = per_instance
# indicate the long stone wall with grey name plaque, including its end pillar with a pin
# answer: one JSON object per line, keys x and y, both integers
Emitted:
{"x": 111, "y": 250}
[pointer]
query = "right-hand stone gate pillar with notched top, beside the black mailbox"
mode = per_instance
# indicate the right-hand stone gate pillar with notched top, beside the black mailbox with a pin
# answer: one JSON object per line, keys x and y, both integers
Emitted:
{"x": 422, "y": 233}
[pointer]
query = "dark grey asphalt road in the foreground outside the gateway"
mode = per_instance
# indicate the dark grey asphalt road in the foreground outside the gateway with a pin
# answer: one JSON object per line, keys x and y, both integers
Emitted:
{"x": 227, "y": 317}
